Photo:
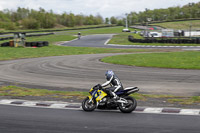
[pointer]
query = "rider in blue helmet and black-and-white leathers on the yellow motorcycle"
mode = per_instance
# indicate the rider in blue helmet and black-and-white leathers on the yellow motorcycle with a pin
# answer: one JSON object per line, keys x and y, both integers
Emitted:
{"x": 115, "y": 83}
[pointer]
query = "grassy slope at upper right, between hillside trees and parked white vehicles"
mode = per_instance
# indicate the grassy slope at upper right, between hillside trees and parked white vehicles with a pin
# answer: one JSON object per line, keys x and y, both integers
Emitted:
{"x": 184, "y": 25}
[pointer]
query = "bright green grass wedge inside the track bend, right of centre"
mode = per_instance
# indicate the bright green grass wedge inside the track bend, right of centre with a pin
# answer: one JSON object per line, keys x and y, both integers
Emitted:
{"x": 180, "y": 60}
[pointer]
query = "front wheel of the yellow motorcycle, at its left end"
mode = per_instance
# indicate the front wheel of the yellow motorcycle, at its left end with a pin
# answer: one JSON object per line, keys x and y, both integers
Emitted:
{"x": 88, "y": 106}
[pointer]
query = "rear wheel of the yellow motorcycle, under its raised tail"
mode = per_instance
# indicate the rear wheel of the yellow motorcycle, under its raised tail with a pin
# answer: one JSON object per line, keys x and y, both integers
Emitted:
{"x": 128, "y": 107}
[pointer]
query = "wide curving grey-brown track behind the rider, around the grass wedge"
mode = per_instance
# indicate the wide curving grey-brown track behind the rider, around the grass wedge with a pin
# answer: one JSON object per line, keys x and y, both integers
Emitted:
{"x": 84, "y": 71}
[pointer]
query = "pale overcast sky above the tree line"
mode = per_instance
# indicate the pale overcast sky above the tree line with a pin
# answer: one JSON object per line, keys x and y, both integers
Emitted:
{"x": 106, "y": 8}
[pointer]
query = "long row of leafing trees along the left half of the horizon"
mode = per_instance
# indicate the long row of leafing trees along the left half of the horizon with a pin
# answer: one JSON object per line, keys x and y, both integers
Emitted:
{"x": 24, "y": 18}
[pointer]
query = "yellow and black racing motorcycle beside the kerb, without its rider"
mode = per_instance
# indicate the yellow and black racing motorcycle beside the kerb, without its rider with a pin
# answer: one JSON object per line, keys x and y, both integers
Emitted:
{"x": 99, "y": 99}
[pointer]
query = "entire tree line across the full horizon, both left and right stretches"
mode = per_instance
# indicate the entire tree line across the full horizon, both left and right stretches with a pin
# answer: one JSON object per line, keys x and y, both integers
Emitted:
{"x": 24, "y": 18}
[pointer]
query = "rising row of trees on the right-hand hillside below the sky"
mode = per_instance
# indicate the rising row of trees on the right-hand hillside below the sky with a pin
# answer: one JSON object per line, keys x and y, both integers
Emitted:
{"x": 191, "y": 10}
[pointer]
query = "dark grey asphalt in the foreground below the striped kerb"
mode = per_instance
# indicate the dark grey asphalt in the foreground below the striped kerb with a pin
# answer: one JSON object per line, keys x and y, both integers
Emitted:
{"x": 42, "y": 120}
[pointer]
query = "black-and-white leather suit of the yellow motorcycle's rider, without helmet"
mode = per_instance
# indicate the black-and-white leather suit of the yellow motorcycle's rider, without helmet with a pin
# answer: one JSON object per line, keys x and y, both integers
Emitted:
{"x": 115, "y": 84}
